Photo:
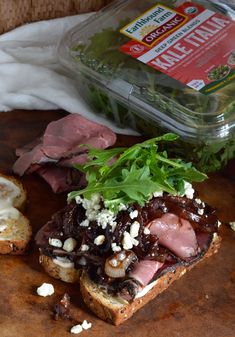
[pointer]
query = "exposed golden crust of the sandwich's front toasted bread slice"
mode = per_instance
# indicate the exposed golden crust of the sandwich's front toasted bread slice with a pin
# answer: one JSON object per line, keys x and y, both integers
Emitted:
{"x": 115, "y": 310}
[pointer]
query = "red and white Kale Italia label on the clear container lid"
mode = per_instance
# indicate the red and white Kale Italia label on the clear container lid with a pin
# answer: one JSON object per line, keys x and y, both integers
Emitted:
{"x": 197, "y": 53}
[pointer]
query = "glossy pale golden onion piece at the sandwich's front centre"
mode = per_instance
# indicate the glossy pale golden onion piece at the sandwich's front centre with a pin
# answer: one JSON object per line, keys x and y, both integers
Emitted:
{"x": 117, "y": 264}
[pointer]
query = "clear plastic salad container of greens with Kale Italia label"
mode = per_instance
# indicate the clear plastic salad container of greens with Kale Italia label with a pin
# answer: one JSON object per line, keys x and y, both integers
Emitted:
{"x": 162, "y": 66}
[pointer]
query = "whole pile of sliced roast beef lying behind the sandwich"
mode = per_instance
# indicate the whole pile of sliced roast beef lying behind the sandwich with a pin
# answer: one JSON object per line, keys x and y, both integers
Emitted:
{"x": 61, "y": 145}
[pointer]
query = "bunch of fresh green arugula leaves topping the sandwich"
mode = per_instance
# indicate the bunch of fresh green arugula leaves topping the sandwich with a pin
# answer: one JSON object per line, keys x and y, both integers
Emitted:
{"x": 128, "y": 175}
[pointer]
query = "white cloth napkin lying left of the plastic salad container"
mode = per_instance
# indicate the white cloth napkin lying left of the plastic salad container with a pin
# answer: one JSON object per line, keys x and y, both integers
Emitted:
{"x": 31, "y": 76}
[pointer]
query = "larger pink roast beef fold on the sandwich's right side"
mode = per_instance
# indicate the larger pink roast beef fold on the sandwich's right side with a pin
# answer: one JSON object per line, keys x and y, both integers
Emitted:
{"x": 176, "y": 234}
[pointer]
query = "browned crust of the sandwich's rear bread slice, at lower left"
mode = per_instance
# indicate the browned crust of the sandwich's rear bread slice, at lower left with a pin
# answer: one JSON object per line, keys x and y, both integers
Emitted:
{"x": 69, "y": 275}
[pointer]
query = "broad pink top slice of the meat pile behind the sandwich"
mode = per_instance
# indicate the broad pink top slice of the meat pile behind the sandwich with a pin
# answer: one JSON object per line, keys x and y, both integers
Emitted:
{"x": 64, "y": 137}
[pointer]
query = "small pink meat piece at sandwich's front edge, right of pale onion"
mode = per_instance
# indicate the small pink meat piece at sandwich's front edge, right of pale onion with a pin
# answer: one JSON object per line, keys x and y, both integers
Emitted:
{"x": 144, "y": 271}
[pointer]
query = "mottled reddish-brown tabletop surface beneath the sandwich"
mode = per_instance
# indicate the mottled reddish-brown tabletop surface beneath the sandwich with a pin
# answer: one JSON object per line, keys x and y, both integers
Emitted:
{"x": 200, "y": 304}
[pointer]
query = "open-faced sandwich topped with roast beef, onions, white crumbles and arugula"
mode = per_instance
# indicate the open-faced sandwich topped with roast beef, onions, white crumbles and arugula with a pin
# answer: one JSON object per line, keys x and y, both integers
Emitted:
{"x": 137, "y": 227}
